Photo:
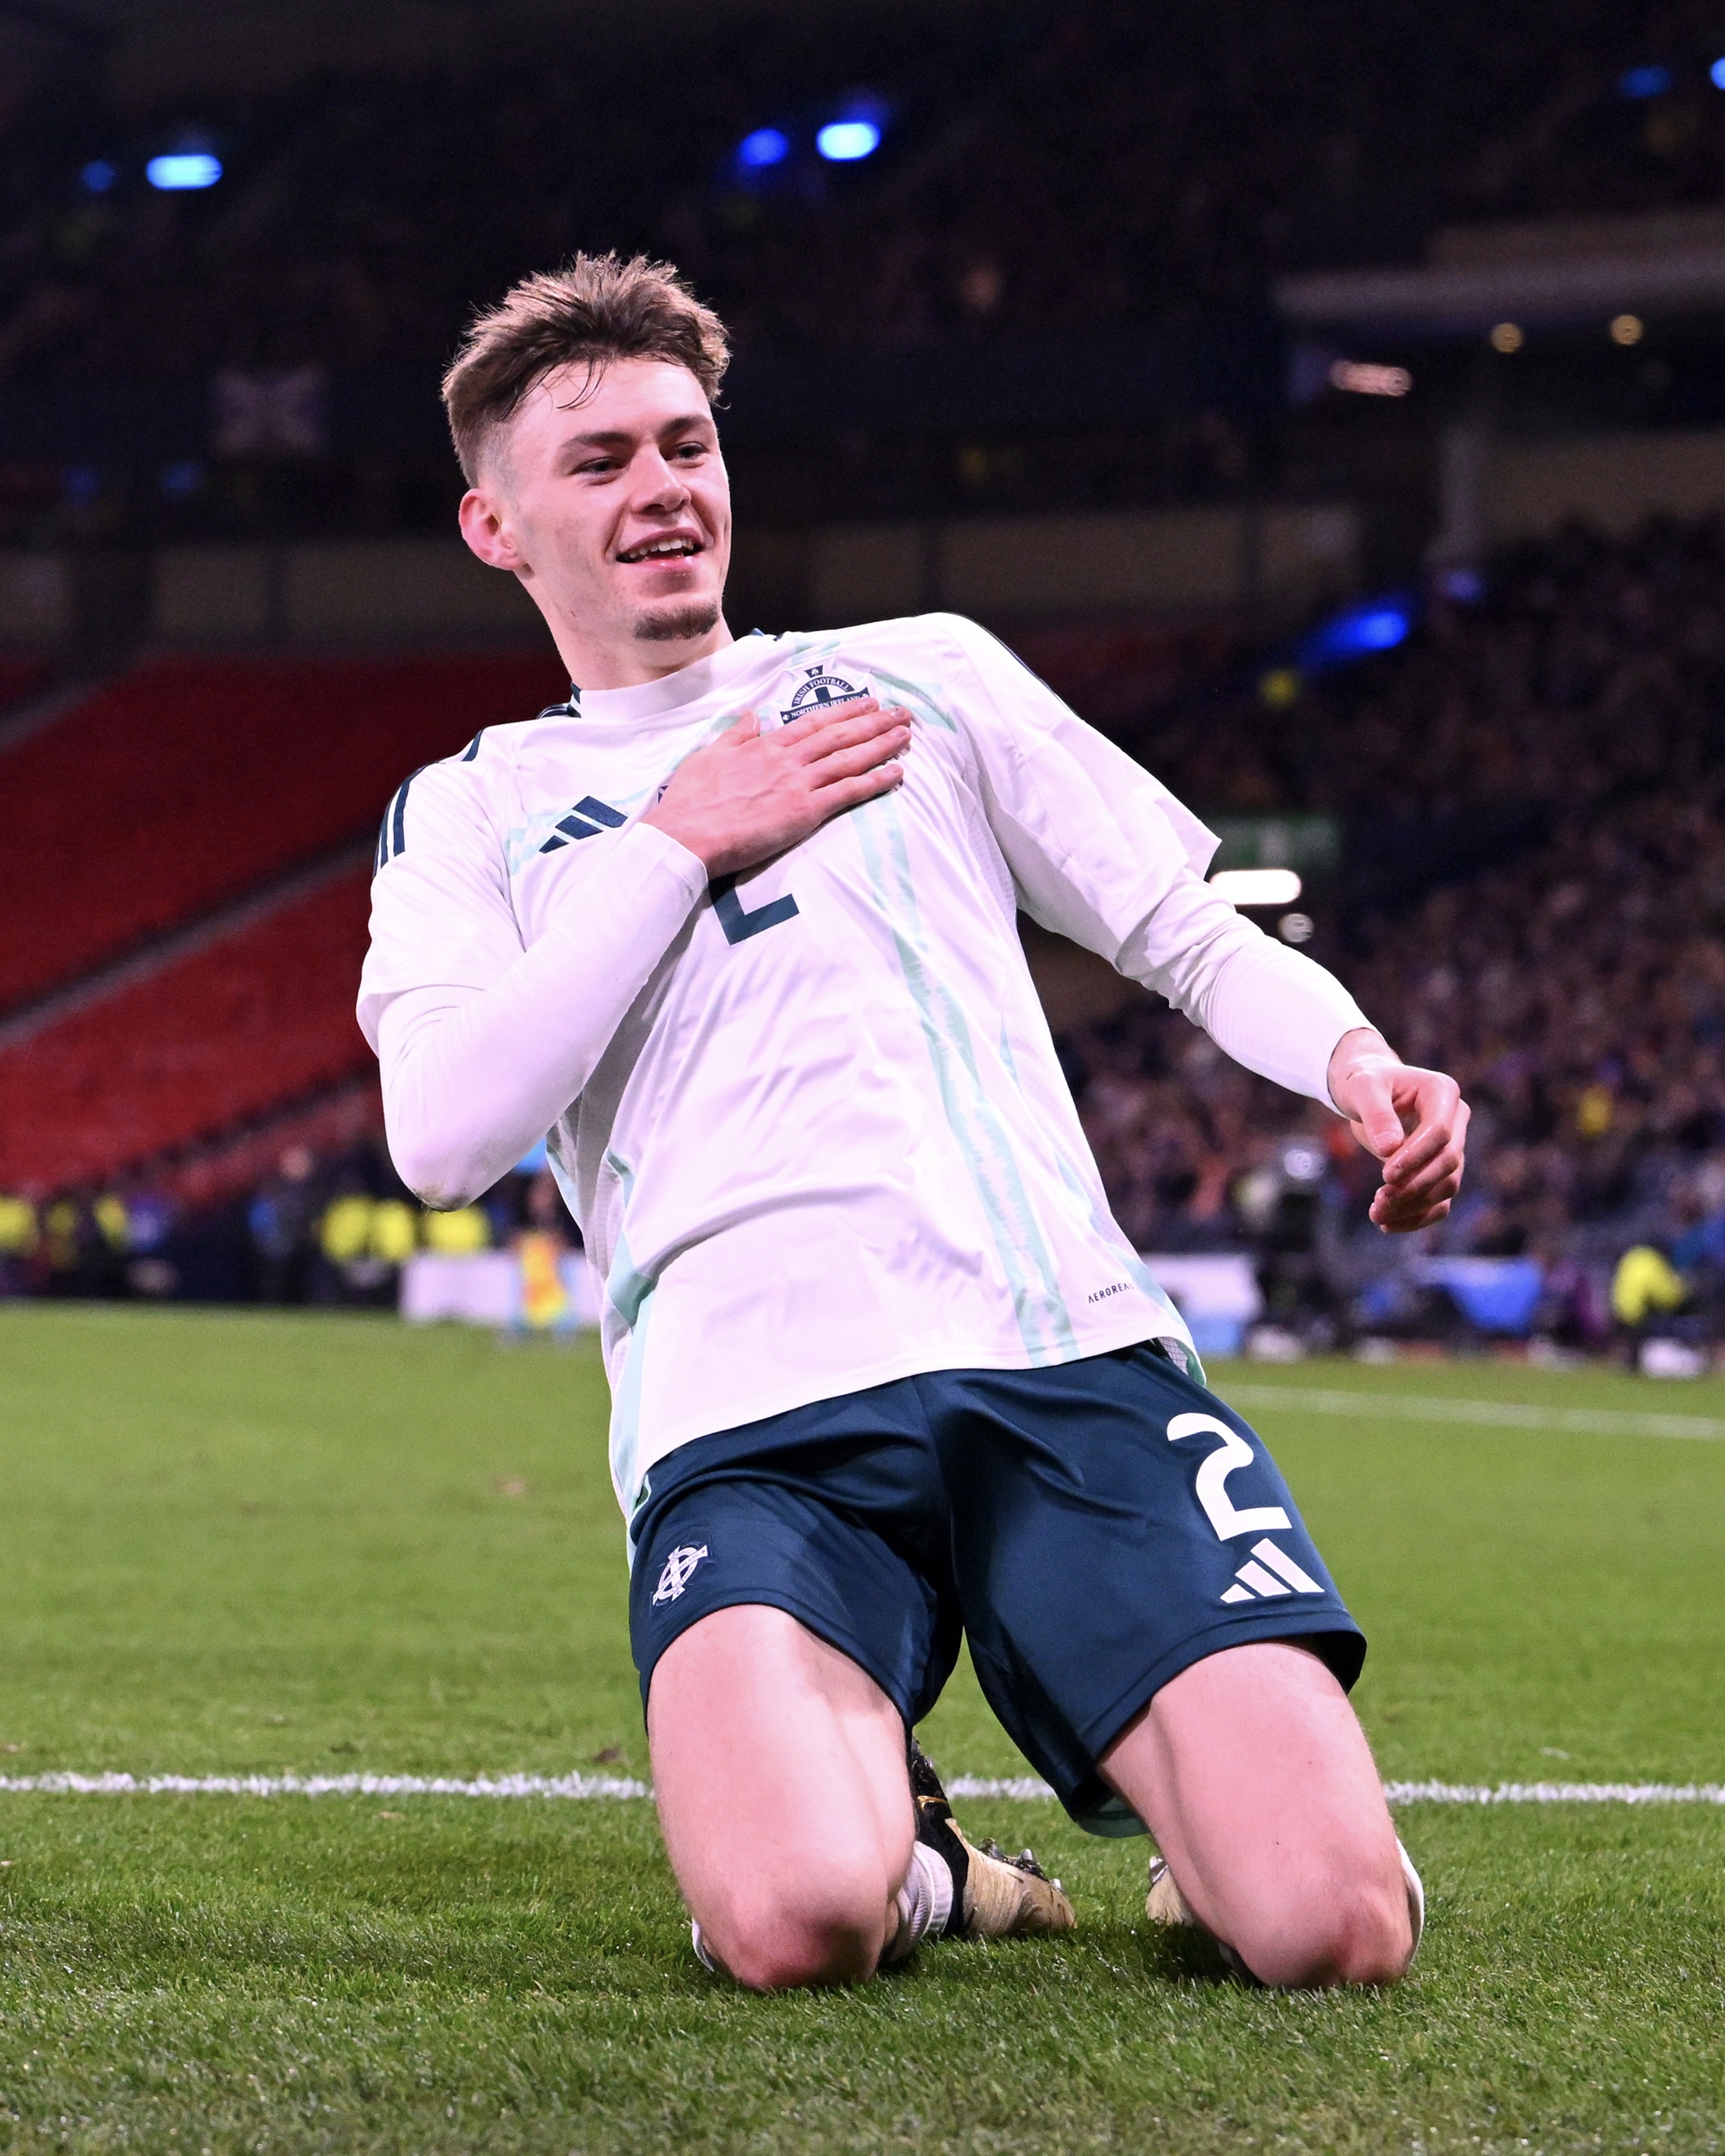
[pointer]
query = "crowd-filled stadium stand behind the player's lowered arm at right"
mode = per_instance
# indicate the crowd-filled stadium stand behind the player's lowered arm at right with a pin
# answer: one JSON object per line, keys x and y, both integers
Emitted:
{"x": 1571, "y": 973}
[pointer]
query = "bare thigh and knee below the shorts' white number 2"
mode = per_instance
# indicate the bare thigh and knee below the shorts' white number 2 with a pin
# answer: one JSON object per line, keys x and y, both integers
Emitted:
{"x": 1258, "y": 1784}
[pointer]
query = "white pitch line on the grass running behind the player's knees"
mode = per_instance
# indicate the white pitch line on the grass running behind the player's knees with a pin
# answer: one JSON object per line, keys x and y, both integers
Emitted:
{"x": 590, "y": 1788}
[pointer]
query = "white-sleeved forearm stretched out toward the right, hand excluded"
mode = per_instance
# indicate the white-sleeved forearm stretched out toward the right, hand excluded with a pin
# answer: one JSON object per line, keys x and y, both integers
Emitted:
{"x": 1269, "y": 1008}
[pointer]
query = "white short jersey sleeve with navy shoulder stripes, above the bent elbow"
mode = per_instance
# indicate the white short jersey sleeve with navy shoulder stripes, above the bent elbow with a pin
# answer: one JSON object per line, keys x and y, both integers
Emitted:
{"x": 441, "y": 913}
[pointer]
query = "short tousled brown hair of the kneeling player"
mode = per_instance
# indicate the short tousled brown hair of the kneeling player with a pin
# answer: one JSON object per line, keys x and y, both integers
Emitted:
{"x": 596, "y": 309}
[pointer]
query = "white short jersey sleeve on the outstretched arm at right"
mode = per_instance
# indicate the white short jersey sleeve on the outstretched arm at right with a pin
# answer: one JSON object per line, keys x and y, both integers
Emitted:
{"x": 1092, "y": 840}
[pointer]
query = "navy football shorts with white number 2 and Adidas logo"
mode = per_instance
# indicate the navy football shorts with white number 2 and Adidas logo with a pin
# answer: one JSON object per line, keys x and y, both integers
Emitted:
{"x": 1092, "y": 1528}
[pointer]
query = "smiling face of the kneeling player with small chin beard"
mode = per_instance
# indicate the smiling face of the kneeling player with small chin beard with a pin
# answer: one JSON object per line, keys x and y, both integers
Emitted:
{"x": 611, "y": 503}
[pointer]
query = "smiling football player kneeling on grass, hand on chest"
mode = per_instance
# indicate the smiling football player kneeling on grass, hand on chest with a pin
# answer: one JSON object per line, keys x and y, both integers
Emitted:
{"x": 736, "y": 924}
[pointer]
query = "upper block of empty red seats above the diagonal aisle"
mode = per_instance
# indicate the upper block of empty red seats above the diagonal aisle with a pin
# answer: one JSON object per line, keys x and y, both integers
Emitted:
{"x": 189, "y": 784}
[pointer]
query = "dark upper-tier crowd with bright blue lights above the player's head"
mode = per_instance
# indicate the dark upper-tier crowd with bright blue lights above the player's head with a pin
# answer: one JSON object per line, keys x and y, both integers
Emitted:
{"x": 1043, "y": 169}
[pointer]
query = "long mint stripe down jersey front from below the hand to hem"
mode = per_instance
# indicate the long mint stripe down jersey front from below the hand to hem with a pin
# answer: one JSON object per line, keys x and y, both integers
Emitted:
{"x": 1045, "y": 1321}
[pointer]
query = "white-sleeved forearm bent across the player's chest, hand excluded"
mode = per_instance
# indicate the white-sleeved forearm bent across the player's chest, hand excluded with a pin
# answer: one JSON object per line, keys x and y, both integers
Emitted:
{"x": 478, "y": 1077}
